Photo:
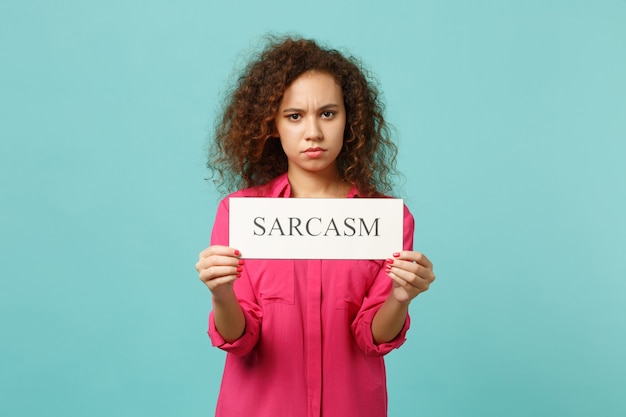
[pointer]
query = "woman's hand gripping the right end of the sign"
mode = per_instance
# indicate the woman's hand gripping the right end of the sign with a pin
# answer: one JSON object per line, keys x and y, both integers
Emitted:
{"x": 412, "y": 274}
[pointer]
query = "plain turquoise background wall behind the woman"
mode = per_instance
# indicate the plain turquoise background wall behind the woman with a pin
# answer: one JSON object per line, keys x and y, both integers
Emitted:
{"x": 511, "y": 120}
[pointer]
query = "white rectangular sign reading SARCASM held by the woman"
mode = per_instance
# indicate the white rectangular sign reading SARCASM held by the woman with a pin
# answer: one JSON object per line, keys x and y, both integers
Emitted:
{"x": 316, "y": 228}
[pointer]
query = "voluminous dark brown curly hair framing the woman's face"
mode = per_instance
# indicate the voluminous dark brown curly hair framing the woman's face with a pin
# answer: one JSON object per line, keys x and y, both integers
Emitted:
{"x": 246, "y": 152}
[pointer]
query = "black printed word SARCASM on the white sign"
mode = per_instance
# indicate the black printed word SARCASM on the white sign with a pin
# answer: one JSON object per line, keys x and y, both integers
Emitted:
{"x": 315, "y": 226}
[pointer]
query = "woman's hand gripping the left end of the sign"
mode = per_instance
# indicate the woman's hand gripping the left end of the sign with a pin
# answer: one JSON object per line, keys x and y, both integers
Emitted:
{"x": 218, "y": 267}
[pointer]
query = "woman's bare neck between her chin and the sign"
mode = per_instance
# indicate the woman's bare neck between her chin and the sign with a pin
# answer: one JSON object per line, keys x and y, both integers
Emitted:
{"x": 317, "y": 185}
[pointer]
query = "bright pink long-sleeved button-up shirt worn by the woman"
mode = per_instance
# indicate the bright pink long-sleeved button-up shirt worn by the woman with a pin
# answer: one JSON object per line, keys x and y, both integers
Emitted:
{"x": 308, "y": 348}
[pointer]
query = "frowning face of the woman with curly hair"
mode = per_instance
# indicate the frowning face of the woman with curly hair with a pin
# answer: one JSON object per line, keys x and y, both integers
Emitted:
{"x": 310, "y": 122}
